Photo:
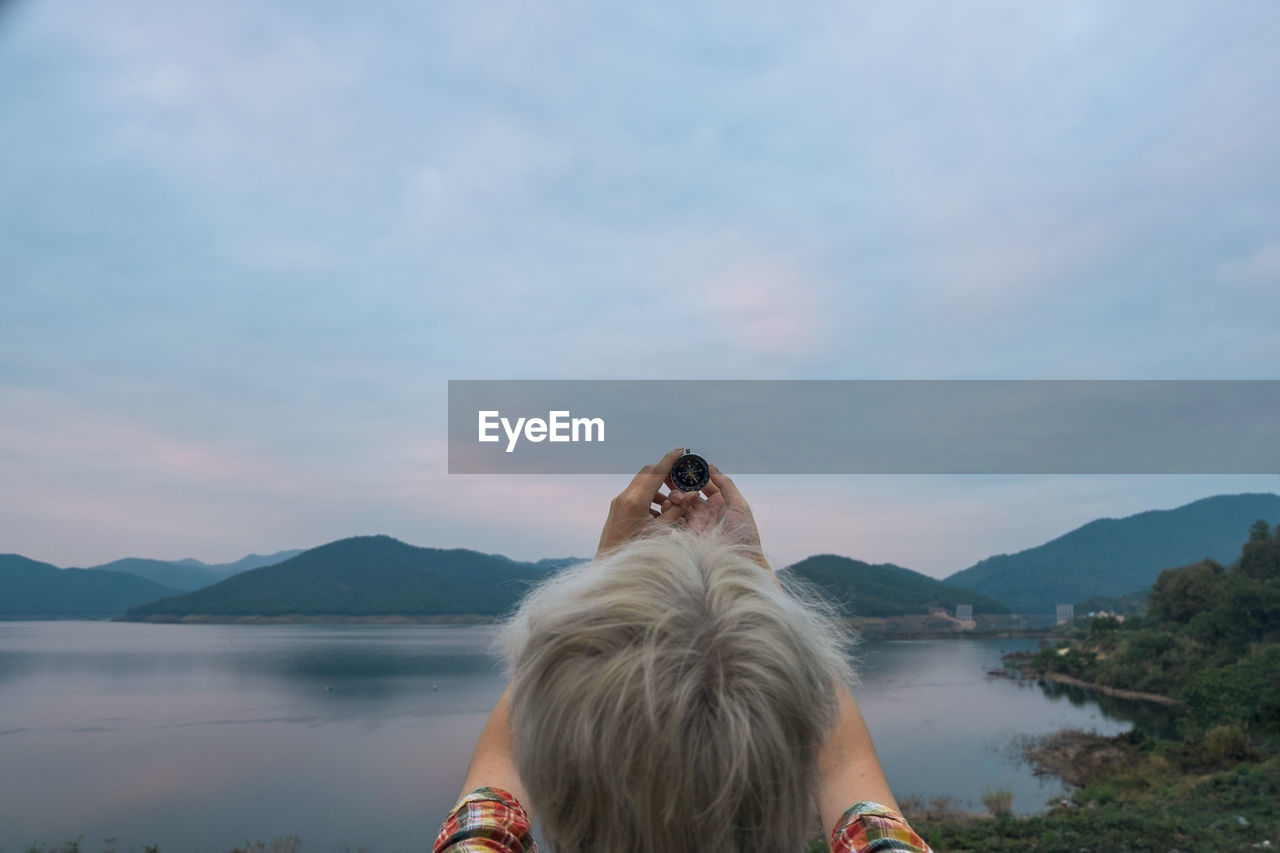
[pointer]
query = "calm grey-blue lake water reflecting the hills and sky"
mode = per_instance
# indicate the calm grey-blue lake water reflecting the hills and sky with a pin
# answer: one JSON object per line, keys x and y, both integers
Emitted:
{"x": 205, "y": 737}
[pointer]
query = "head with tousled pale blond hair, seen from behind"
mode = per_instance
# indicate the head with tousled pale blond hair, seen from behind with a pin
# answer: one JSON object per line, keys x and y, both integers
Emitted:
{"x": 671, "y": 697}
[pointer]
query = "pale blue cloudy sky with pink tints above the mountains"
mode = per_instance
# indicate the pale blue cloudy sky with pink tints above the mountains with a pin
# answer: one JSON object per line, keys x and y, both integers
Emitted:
{"x": 245, "y": 247}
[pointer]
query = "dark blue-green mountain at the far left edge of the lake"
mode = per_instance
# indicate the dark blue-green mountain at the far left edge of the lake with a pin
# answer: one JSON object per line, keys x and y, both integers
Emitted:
{"x": 36, "y": 590}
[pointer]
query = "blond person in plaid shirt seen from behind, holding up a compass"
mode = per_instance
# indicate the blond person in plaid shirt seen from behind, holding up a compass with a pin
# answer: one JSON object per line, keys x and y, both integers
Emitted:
{"x": 675, "y": 696}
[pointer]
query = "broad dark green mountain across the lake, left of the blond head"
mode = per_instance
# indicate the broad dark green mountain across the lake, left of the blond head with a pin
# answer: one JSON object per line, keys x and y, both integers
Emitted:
{"x": 362, "y": 577}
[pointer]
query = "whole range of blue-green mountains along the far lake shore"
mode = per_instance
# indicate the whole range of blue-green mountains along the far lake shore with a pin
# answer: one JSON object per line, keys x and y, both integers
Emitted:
{"x": 376, "y": 577}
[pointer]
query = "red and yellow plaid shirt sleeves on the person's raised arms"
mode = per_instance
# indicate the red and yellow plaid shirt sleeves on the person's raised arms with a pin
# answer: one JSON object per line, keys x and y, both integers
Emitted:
{"x": 490, "y": 820}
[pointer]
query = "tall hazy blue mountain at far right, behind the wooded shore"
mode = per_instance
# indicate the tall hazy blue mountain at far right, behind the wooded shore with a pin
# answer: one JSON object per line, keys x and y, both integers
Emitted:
{"x": 1117, "y": 556}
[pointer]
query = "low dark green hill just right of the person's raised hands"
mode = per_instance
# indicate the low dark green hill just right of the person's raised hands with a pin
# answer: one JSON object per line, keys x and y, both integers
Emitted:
{"x": 885, "y": 590}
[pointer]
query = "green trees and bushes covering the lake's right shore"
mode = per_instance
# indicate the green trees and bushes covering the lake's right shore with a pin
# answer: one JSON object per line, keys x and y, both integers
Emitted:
{"x": 1212, "y": 641}
